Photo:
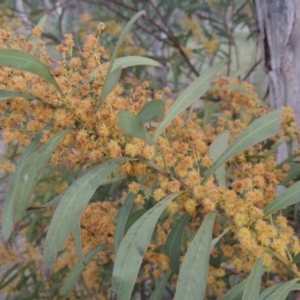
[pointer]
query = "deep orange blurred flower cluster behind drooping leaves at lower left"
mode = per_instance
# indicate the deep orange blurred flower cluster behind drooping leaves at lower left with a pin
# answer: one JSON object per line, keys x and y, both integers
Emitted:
{"x": 98, "y": 226}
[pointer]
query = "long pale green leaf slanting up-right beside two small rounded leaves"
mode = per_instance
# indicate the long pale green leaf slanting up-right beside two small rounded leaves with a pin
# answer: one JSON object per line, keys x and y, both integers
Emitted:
{"x": 193, "y": 92}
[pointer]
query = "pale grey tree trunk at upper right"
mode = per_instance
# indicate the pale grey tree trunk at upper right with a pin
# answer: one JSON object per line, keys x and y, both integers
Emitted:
{"x": 279, "y": 31}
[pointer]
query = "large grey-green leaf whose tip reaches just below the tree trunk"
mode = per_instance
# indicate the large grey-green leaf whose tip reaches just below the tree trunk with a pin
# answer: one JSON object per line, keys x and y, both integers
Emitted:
{"x": 256, "y": 132}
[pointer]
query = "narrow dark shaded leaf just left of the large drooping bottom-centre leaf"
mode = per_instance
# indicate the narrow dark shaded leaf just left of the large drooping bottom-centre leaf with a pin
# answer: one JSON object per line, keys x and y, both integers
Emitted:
{"x": 122, "y": 220}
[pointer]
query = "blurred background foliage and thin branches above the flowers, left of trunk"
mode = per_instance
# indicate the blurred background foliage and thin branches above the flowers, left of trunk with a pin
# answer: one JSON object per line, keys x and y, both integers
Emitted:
{"x": 187, "y": 37}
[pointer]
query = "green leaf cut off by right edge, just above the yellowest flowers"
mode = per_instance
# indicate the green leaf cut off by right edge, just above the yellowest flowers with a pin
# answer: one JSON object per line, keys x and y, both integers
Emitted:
{"x": 288, "y": 197}
